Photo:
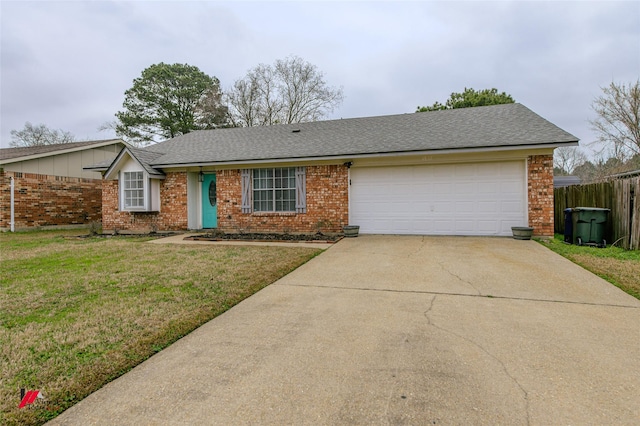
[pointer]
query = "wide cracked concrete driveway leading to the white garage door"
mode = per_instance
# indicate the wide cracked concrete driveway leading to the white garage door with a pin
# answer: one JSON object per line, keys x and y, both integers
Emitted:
{"x": 400, "y": 330}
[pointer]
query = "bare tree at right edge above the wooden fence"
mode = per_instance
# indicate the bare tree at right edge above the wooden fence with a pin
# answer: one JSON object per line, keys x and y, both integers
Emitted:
{"x": 618, "y": 121}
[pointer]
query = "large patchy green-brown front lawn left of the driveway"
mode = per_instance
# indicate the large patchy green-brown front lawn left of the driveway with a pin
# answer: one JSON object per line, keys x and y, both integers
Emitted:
{"x": 77, "y": 313}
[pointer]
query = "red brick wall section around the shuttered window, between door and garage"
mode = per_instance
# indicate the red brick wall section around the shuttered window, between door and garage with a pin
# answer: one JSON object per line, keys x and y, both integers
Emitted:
{"x": 327, "y": 204}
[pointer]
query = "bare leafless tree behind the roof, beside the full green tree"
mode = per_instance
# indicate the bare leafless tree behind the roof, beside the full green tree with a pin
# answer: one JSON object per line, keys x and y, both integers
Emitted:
{"x": 290, "y": 91}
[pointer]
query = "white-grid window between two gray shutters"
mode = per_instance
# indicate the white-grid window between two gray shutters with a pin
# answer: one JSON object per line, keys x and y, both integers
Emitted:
{"x": 274, "y": 190}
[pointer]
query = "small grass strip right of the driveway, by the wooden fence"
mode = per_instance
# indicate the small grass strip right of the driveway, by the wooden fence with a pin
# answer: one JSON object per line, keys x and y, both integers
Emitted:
{"x": 618, "y": 266}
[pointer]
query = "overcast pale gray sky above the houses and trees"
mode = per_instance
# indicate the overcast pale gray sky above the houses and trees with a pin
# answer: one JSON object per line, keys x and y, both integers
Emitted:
{"x": 67, "y": 64}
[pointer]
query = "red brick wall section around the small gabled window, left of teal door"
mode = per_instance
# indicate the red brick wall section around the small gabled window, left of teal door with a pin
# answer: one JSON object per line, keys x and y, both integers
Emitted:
{"x": 171, "y": 217}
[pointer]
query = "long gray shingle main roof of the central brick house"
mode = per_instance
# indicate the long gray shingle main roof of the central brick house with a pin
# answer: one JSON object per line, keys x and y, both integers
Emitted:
{"x": 510, "y": 125}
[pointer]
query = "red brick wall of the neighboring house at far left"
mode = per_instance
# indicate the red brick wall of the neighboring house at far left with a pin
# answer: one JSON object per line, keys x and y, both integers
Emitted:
{"x": 44, "y": 200}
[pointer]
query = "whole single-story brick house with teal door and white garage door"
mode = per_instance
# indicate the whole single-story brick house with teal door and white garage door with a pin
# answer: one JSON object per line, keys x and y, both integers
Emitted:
{"x": 472, "y": 171}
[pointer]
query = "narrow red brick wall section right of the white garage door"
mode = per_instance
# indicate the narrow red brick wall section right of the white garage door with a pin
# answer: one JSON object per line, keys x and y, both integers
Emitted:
{"x": 540, "y": 178}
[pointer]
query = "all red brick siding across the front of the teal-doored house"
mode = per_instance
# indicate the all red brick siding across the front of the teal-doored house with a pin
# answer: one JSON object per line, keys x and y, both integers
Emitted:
{"x": 327, "y": 203}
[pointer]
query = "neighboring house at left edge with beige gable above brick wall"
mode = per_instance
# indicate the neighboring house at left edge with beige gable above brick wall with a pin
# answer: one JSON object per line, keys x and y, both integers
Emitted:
{"x": 51, "y": 187}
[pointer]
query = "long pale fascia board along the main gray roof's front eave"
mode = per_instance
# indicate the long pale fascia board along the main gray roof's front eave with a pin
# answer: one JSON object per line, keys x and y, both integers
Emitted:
{"x": 348, "y": 157}
